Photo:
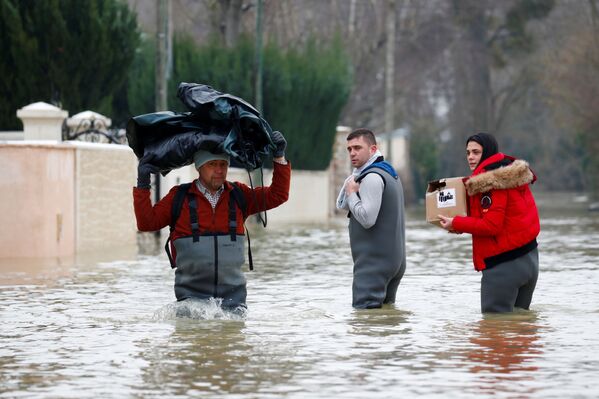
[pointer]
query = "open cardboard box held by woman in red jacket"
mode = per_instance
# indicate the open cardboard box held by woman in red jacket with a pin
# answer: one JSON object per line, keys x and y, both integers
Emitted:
{"x": 445, "y": 197}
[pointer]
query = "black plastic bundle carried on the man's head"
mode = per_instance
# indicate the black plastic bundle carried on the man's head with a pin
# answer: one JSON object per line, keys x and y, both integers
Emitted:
{"x": 217, "y": 122}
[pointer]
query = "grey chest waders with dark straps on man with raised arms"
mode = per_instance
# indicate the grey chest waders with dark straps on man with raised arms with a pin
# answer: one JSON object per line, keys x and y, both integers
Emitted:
{"x": 208, "y": 264}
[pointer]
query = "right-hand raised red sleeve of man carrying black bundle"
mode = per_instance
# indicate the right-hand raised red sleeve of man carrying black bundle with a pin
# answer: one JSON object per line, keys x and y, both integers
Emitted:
{"x": 267, "y": 197}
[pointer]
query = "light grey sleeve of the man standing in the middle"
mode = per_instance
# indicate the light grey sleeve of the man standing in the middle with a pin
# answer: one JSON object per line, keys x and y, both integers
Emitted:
{"x": 365, "y": 207}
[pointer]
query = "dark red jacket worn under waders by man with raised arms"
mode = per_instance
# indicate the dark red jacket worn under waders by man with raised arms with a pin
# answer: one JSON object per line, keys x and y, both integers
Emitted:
{"x": 152, "y": 218}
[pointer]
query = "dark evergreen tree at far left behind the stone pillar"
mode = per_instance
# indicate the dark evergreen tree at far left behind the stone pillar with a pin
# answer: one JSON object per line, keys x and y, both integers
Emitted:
{"x": 72, "y": 53}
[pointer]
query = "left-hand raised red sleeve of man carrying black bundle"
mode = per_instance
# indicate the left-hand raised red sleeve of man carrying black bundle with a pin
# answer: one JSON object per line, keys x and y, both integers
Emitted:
{"x": 151, "y": 218}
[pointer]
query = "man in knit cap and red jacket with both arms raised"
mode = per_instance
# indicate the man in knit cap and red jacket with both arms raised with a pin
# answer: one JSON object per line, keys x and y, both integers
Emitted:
{"x": 207, "y": 238}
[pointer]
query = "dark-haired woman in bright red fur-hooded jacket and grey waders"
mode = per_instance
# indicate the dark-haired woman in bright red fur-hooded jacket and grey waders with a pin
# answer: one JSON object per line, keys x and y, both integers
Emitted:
{"x": 504, "y": 223}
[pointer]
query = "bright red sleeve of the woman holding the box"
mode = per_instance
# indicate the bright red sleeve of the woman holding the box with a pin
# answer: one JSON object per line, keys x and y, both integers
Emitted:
{"x": 491, "y": 221}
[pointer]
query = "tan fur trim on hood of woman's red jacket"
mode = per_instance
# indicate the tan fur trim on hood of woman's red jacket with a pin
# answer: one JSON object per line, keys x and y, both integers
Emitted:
{"x": 513, "y": 175}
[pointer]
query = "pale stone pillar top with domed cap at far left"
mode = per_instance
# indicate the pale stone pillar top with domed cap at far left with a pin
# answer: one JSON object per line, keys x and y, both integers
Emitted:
{"x": 42, "y": 121}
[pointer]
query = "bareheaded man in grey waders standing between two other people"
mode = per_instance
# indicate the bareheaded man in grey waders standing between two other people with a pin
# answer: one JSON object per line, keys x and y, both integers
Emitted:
{"x": 373, "y": 195}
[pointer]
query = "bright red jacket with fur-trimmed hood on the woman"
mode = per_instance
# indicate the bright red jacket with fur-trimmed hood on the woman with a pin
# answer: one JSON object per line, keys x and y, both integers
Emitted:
{"x": 502, "y": 217}
